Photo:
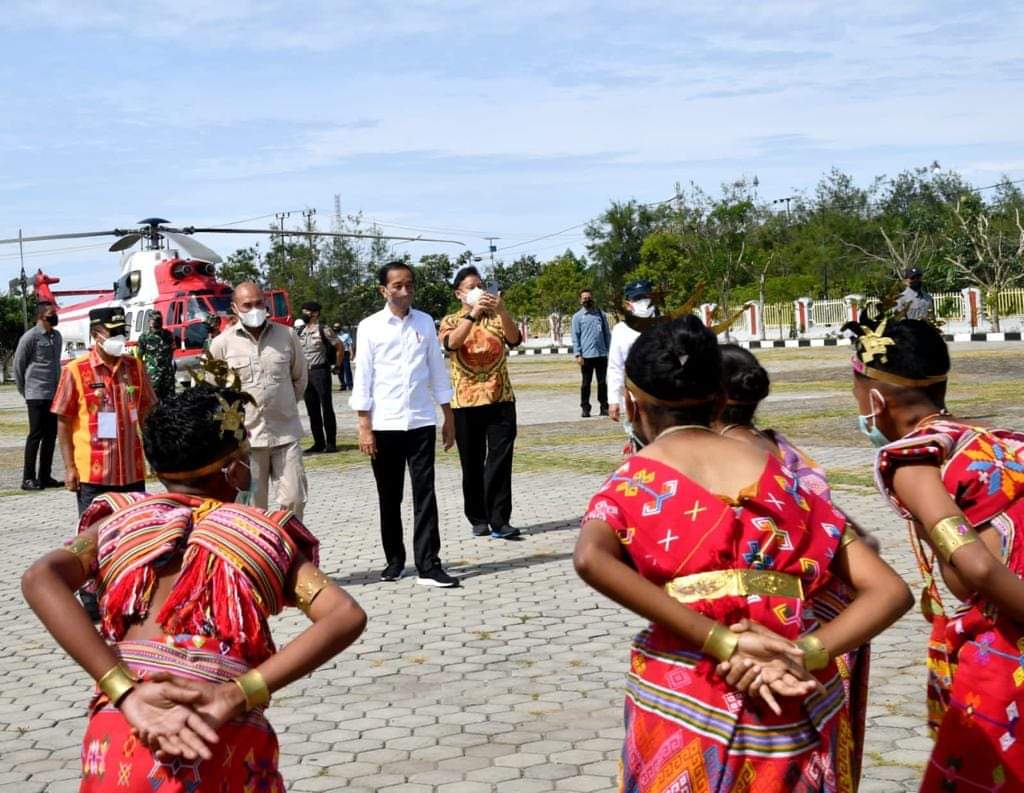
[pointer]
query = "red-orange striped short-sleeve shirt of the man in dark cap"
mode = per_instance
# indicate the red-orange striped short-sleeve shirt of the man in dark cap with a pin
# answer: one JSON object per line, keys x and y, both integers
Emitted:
{"x": 89, "y": 389}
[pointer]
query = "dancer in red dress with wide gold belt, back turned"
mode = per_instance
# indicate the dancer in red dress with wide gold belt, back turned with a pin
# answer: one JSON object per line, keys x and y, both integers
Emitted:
{"x": 734, "y": 686}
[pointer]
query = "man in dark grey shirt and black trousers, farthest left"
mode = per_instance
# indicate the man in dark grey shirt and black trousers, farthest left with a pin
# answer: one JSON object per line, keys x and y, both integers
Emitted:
{"x": 37, "y": 369}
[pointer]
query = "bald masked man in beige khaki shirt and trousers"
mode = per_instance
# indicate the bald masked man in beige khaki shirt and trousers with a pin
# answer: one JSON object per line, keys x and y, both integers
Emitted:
{"x": 269, "y": 360}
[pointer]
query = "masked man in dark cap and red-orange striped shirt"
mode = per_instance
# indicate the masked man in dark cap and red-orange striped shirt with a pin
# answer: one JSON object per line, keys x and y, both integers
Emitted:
{"x": 101, "y": 402}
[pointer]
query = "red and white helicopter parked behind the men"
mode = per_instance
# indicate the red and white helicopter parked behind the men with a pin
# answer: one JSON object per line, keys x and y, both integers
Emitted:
{"x": 173, "y": 274}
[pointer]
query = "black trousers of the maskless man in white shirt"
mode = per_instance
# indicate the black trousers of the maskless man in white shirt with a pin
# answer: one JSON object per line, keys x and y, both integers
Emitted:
{"x": 396, "y": 450}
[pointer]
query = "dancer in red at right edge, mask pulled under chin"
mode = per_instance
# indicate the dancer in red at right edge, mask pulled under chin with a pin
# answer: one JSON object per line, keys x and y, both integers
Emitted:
{"x": 961, "y": 486}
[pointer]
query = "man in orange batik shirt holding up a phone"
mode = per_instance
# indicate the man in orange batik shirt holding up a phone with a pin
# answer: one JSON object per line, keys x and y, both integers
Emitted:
{"x": 478, "y": 337}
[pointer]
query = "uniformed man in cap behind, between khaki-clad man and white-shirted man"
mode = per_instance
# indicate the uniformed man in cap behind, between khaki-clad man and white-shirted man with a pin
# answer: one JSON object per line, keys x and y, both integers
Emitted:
{"x": 324, "y": 352}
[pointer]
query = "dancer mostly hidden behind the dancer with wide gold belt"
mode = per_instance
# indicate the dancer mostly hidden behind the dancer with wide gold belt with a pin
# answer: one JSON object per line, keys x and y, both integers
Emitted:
{"x": 747, "y": 384}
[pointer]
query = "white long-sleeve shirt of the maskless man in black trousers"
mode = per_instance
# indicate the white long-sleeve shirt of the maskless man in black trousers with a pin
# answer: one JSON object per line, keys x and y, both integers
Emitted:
{"x": 400, "y": 371}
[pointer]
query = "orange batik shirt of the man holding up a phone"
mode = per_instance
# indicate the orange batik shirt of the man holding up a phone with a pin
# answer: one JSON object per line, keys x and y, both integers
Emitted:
{"x": 480, "y": 367}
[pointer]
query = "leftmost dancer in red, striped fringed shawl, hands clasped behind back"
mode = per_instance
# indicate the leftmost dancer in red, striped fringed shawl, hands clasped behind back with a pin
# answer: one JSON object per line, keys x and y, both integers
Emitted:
{"x": 187, "y": 581}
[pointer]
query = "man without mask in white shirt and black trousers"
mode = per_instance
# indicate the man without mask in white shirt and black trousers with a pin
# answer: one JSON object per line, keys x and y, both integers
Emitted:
{"x": 400, "y": 379}
